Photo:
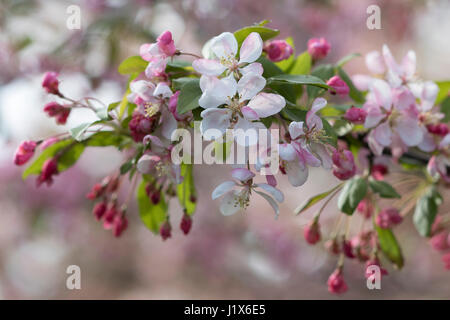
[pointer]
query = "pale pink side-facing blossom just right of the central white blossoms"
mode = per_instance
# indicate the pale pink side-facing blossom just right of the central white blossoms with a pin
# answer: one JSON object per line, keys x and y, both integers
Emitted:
{"x": 305, "y": 147}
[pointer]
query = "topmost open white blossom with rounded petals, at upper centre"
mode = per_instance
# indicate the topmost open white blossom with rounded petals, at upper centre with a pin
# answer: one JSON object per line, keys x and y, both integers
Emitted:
{"x": 224, "y": 48}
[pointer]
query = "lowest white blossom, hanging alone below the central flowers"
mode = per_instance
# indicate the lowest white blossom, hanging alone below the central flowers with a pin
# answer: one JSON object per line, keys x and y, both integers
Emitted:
{"x": 237, "y": 192}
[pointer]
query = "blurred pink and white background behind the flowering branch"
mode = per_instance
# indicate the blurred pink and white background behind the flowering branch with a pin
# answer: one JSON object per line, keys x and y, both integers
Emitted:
{"x": 245, "y": 256}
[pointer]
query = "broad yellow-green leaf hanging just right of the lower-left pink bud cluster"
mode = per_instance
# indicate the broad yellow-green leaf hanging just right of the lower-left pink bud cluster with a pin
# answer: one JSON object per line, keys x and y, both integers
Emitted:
{"x": 152, "y": 215}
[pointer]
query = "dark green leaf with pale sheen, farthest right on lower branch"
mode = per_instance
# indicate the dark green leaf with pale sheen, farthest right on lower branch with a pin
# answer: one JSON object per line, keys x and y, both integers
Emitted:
{"x": 426, "y": 211}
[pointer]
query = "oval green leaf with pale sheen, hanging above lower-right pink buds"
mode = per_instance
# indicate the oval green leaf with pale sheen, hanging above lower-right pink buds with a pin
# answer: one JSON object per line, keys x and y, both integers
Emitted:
{"x": 351, "y": 195}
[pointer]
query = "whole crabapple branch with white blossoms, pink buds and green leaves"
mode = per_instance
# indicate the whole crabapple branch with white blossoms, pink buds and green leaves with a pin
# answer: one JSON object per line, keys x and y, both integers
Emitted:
{"x": 387, "y": 131}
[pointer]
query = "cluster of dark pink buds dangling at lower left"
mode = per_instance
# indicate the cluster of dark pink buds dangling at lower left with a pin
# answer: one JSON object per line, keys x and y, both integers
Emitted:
{"x": 106, "y": 209}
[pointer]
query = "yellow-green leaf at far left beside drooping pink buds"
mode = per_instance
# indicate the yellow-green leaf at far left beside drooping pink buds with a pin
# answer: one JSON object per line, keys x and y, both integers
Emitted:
{"x": 65, "y": 161}
